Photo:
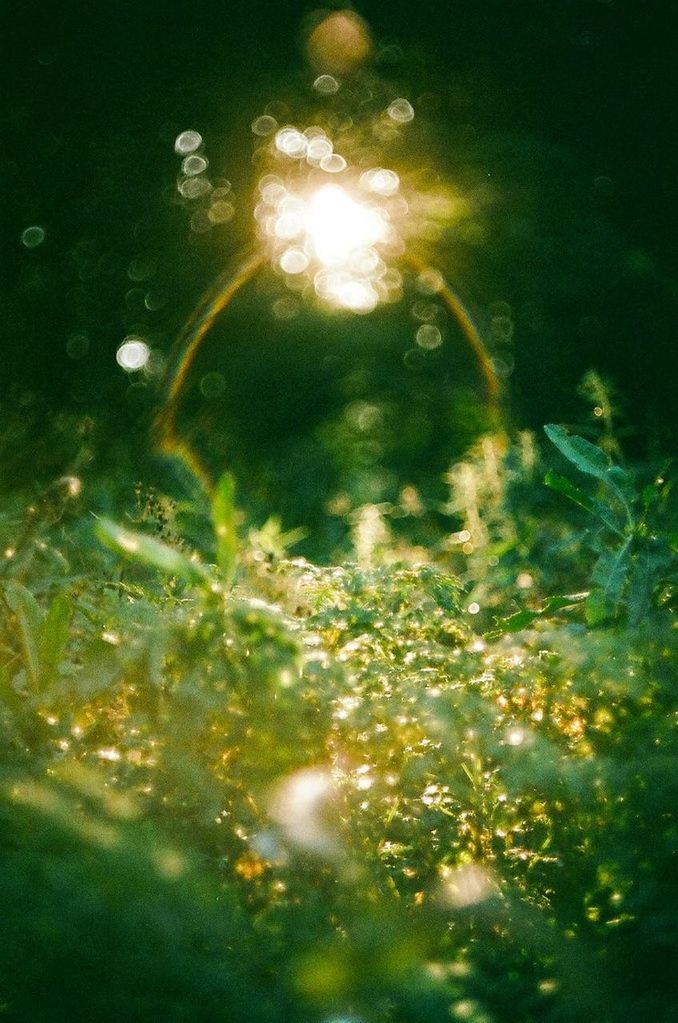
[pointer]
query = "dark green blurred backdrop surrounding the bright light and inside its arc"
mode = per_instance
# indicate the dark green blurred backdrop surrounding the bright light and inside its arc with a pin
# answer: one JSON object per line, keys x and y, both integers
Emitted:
{"x": 566, "y": 110}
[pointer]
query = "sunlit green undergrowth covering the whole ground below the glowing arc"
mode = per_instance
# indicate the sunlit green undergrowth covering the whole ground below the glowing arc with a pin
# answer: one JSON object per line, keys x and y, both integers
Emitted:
{"x": 297, "y": 793}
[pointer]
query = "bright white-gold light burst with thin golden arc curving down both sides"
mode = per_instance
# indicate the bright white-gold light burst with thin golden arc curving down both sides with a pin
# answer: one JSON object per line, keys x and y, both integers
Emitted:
{"x": 336, "y": 233}
